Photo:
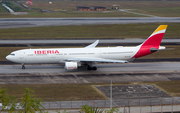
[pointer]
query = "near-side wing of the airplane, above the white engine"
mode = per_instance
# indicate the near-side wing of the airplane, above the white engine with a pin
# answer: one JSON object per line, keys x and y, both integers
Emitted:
{"x": 95, "y": 60}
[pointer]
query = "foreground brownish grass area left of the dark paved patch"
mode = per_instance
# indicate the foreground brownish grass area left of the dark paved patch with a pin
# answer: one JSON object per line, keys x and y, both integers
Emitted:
{"x": 56, "y": 91}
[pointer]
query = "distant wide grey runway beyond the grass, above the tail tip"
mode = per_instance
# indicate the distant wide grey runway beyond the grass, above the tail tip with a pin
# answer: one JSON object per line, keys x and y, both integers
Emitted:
{"x": 39, "y": 22}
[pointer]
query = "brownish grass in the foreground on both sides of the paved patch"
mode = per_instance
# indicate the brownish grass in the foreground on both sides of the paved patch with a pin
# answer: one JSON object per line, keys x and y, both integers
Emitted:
{"x": 81, "y": 91}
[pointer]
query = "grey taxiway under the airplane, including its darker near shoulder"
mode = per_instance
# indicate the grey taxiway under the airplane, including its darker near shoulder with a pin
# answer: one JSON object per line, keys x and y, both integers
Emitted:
{"x": 56, "y": 74}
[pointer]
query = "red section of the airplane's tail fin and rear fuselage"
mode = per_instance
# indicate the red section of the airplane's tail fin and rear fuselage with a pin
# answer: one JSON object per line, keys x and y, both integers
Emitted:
{"x": 152, "y": 42}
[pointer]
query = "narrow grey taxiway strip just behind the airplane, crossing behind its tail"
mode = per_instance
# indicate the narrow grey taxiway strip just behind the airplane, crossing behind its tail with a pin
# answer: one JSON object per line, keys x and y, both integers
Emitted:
{"x": 87, "y": 41}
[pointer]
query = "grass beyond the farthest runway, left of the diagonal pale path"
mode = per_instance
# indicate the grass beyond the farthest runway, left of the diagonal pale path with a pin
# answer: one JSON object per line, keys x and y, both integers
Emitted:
{"x": 68, "y": 14}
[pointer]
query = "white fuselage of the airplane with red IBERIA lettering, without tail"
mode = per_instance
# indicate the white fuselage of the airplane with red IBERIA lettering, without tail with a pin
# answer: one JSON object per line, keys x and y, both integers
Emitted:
{"x": 57, "y": 55}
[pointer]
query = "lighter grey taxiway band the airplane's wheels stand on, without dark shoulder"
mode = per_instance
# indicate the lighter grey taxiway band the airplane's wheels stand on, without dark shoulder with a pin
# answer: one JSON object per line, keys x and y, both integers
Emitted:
{"x": 102, "y": 68}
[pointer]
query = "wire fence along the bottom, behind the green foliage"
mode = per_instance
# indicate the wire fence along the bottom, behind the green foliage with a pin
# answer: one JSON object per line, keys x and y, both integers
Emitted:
{"x": 127, "y": 105}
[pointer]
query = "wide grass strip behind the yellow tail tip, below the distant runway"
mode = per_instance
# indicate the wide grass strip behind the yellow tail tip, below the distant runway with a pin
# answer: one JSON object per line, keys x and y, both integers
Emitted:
{"x": 90, "y": 31}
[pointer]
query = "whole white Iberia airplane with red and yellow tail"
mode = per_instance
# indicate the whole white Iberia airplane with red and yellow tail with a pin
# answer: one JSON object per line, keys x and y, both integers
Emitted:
{"x": 73, "y": 58}
